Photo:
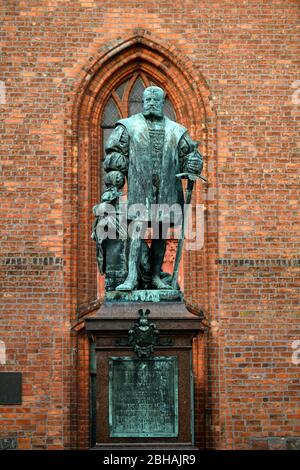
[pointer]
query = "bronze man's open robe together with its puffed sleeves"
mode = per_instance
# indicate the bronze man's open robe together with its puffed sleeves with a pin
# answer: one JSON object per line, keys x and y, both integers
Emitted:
{"x": 131, "y": 145}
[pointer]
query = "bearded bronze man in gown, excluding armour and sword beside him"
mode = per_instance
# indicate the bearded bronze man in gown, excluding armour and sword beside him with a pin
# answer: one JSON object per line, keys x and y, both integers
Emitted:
{"x": 150, "y": 149}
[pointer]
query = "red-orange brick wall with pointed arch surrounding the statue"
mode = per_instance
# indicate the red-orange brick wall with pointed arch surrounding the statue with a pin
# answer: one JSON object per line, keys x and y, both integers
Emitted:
{"x": 236, "y": 63}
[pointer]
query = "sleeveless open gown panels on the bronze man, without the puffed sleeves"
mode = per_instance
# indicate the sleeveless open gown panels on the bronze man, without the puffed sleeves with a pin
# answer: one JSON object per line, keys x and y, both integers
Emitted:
{"x": 140, "y": 165}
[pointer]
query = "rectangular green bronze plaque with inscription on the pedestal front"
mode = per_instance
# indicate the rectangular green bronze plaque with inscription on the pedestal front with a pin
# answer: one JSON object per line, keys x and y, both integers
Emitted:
{"x": 143, "y": 397}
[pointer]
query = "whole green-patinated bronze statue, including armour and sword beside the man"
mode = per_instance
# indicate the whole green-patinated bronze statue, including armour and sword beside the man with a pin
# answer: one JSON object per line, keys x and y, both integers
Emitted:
{"x": 153, "y": 154}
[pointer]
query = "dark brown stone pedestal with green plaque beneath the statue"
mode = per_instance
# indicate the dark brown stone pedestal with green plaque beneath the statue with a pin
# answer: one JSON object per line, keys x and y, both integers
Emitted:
{"x": 142, "y": 403}
